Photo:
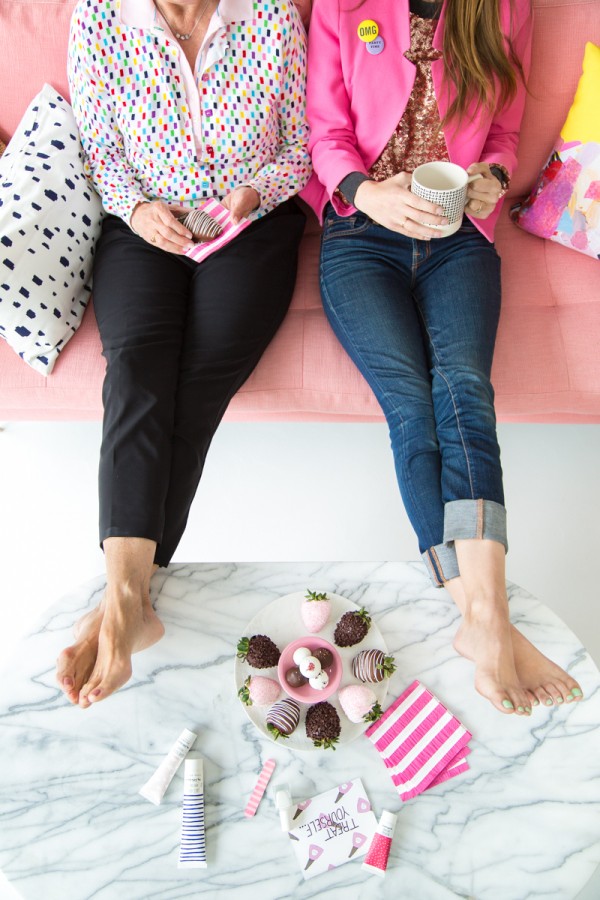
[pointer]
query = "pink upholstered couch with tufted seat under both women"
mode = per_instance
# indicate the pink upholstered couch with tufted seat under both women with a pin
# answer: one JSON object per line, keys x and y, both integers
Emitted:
{"x": 547, "y": 365}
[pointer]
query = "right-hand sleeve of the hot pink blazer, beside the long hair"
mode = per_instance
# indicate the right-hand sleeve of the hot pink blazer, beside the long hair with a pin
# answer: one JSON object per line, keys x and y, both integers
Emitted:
{"x": 503, "y": 137}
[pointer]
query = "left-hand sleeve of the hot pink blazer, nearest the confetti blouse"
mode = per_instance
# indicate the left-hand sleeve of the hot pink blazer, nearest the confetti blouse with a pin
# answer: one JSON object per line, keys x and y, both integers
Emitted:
{"x": 333, "y": 143}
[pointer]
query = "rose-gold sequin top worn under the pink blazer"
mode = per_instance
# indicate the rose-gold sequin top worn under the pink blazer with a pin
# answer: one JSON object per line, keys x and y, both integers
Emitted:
{"x": 418, "y": 137}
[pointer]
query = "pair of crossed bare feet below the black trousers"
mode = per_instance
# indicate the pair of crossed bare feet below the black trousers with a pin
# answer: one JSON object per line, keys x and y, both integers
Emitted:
{"x": 99, "y": 662}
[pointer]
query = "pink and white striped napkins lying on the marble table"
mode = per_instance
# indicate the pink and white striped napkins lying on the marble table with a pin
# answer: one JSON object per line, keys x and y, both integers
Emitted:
{"x": 420, "y": 741}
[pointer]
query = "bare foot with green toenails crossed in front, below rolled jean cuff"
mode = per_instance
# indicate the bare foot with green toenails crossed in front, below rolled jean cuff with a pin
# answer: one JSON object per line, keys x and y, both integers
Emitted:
{"x": 484, "y": 637}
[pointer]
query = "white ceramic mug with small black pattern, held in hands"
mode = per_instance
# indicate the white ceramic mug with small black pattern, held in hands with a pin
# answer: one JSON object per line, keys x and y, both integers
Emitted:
{"x": 444, "y": 183}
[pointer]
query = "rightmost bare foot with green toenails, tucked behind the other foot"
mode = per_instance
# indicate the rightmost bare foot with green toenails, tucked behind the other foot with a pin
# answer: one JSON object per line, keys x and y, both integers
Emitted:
{"x": 546, "y": 682}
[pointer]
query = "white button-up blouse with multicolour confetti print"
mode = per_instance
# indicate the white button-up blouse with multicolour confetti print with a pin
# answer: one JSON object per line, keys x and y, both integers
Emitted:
{"x": 151, "y": 128}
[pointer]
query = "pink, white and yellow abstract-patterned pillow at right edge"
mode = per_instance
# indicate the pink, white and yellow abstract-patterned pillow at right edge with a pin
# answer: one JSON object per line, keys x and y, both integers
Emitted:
{"x": 564, "y": 205}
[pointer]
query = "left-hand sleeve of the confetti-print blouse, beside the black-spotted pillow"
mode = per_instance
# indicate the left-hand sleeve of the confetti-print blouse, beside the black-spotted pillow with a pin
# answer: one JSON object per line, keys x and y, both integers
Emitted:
{"x": 105, "y": 159}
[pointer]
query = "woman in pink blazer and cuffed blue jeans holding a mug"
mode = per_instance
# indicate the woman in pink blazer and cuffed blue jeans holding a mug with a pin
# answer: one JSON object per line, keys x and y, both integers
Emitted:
{"x": 392, "y": 86}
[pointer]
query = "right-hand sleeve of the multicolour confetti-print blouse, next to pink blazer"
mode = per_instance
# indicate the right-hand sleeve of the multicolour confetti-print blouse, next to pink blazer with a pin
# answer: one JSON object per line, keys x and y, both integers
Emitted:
{"x": 290, "y": 168}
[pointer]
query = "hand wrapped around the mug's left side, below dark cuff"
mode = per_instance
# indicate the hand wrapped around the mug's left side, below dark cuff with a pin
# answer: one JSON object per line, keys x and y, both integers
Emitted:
{"x": 391, "y": 204}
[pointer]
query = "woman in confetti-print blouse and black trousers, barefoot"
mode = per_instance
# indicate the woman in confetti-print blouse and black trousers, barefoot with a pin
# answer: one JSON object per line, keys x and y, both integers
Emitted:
{"x": 177, "y": 103}
